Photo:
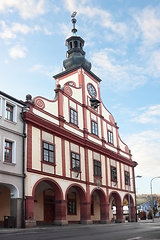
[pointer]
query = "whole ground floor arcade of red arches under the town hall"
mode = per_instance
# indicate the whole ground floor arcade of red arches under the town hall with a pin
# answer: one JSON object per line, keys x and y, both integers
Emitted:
{"x": 60, "y": 204}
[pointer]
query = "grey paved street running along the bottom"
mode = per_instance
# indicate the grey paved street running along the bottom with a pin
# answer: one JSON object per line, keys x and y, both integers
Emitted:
{"x": 126, "y": 231}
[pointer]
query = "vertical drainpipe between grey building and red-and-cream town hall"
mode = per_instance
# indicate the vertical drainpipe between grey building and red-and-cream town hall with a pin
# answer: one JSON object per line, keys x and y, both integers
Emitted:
{"x": 24, "y": 109}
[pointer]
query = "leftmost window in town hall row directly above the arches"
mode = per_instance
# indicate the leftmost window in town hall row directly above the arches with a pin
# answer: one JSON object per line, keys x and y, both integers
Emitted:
{"x": 48, "y": 152}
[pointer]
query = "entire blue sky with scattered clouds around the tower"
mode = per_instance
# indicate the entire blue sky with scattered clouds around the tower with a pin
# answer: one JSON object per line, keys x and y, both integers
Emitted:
{"x": 122, "y": 41}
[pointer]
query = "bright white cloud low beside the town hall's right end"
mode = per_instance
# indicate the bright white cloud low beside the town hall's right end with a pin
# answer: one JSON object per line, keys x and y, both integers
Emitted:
{"x": 145, "y": 150}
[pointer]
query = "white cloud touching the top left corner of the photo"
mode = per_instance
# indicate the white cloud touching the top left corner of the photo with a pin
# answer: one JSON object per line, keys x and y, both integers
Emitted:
{"x": 27, "y": 9}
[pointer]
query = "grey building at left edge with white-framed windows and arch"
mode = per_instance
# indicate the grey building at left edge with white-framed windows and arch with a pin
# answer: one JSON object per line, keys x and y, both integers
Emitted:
{"x": 12, "y": 153}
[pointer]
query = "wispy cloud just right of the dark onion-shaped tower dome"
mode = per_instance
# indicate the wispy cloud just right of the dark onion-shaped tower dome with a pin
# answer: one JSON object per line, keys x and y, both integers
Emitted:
{"x": 120, "y": 74}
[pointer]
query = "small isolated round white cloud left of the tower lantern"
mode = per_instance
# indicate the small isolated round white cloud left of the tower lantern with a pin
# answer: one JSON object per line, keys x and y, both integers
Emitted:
{"x": 17, "y": 52}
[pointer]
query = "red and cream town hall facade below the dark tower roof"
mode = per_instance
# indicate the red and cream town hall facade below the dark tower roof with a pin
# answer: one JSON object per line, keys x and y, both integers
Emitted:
{"x": 77, "y": 166}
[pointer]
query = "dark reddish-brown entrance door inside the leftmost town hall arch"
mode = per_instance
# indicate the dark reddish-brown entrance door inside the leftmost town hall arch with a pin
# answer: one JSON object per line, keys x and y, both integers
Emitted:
{"x": 49, "y": 209}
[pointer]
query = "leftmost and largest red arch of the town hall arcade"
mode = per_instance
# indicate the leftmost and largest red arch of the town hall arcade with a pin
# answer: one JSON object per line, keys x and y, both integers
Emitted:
{"x": 47, "y": 204}
